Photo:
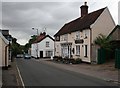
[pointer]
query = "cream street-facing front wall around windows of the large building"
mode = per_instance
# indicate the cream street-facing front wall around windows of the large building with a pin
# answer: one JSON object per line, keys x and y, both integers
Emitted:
{"x": 71, "y": 39}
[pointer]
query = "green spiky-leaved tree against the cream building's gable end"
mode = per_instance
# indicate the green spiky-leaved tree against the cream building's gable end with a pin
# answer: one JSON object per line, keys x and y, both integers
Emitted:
{"x": 103, "y": 42}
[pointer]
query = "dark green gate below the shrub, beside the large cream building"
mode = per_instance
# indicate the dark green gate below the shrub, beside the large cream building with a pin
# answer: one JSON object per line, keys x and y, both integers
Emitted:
{"x": 101, "y": 56}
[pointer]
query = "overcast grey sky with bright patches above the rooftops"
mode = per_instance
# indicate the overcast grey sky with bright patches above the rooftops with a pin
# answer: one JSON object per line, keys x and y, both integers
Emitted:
{"x": 20, "y": 16}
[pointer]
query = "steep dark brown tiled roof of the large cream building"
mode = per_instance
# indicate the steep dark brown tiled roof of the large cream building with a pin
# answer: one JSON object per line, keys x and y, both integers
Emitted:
{"x": 80, "y": 23}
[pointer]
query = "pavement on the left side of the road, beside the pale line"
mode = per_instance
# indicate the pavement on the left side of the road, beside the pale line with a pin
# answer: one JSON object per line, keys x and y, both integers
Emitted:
{"x": 10, "y": 77}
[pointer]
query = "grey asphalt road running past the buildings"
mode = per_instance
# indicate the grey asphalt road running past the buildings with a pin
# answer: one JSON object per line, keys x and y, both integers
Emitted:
{"x": 36, "y": 73}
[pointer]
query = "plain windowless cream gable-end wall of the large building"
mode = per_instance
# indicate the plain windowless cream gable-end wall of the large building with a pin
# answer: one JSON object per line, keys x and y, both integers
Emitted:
{"x": 104, "y": 25}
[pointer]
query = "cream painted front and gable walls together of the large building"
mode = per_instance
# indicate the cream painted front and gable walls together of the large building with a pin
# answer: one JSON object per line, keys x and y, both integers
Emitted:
{"x": 104, "y": 25}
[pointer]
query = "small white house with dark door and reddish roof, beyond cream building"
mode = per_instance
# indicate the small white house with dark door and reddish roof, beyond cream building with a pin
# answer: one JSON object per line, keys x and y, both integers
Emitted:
{"x": 43, "y": 46}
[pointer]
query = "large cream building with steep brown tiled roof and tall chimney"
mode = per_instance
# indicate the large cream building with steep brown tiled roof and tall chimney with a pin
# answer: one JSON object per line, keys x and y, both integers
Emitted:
{"x": 76, "y": 38}
